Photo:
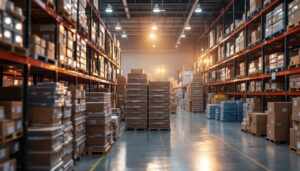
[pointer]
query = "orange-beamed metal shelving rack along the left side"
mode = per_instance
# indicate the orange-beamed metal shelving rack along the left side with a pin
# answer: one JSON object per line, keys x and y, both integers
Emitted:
{"x": 36, "y": 70}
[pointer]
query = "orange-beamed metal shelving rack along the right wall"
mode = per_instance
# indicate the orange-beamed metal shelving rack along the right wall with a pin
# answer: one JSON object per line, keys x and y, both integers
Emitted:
{"x": 285, "y": 39}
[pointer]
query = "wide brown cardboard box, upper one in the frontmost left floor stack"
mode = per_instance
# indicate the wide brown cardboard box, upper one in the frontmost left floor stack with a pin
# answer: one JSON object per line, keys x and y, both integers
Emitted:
{"x": 44, "y": 115}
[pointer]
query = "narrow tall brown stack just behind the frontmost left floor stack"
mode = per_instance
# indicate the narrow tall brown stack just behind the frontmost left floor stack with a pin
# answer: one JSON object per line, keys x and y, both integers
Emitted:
{"x": 78, "y": 120}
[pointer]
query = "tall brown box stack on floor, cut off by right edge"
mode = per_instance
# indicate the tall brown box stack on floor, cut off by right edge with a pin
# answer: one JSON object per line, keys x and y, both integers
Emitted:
{"x": 295, "y": 130}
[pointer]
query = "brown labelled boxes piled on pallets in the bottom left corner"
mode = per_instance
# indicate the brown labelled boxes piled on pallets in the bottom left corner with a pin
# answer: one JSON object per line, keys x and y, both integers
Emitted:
{"x": 11, "y": 128}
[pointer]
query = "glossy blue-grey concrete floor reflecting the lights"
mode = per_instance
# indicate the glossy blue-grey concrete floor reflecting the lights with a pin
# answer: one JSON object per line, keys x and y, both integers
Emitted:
{"x": 194, "y": 143}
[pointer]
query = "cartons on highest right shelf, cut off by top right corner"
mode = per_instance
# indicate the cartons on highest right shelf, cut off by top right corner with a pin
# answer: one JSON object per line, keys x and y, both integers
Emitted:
{"x": 293, "y": 14}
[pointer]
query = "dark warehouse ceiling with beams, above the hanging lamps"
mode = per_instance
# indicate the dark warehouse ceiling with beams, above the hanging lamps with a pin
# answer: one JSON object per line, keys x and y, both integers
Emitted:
{"x": 170, "y": 22}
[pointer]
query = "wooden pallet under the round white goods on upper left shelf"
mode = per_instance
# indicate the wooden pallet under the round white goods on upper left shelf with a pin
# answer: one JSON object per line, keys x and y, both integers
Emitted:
{"x": 7, "y": 46}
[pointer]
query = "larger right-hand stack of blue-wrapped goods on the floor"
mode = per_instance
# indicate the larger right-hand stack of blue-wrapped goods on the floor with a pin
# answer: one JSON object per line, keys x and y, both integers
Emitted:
{"x": 228, "y": 111}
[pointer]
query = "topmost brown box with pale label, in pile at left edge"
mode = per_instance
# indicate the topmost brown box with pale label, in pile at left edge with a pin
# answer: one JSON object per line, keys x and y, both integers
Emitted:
{"x": 12, "y": 109}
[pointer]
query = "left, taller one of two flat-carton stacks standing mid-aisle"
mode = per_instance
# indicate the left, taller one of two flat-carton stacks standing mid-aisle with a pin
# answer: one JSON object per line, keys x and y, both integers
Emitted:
{"x": 136, "y": 103}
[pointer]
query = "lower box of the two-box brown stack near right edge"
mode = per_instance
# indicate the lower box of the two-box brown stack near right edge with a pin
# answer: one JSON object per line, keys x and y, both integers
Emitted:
{"x": 278, "y": 133}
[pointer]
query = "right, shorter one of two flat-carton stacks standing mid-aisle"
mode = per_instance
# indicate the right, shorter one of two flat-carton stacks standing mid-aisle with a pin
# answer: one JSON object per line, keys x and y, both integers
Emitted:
{"x": 159, "y": 105}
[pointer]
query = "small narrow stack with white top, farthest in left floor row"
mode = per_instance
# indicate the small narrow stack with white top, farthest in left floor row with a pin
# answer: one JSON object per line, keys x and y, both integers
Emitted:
{"x": 116, "y": 122}
